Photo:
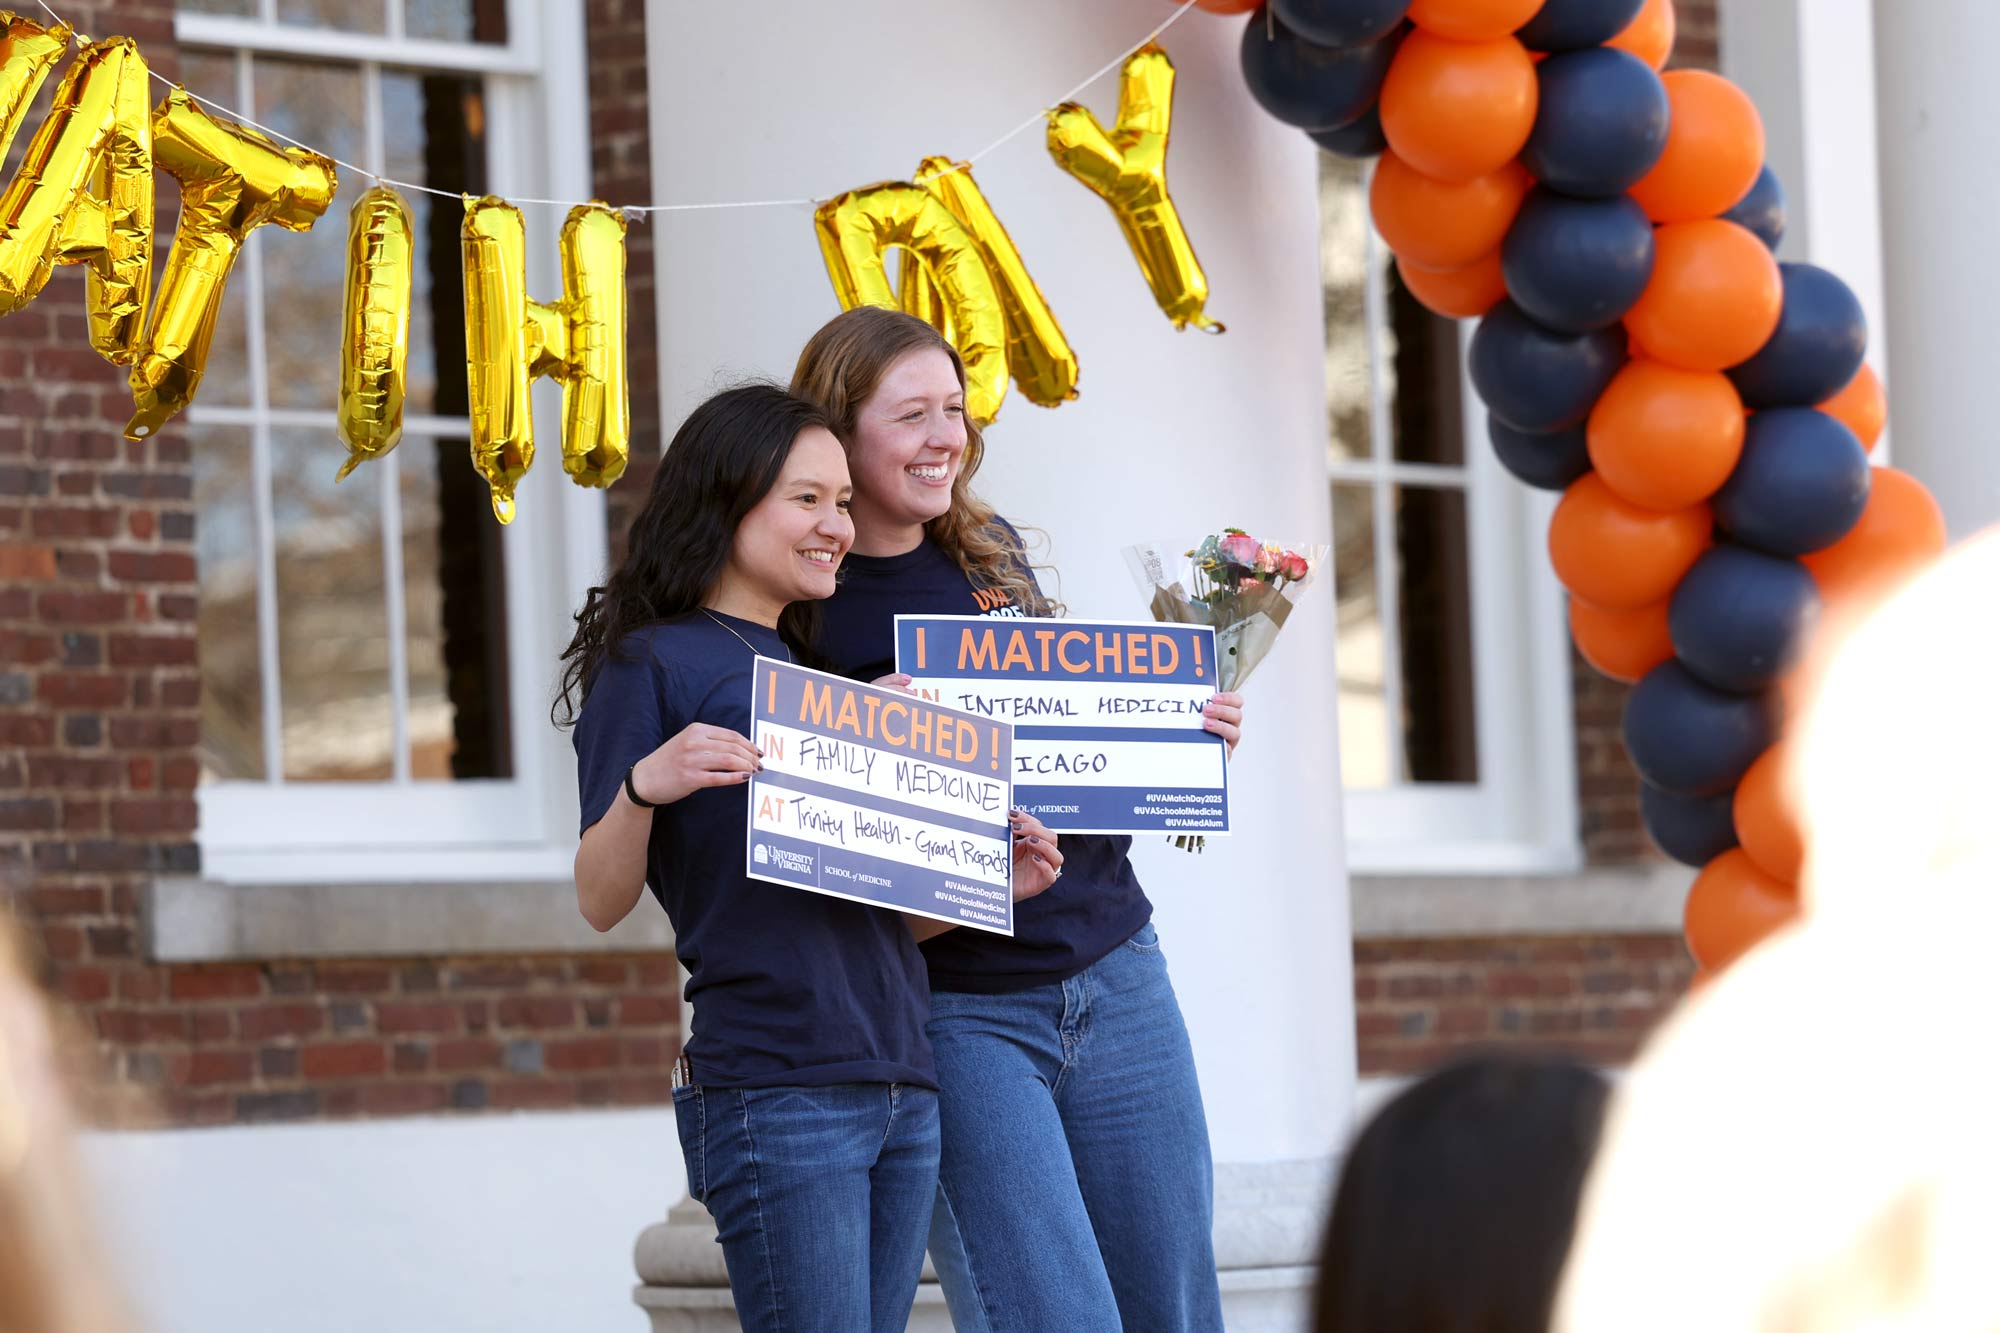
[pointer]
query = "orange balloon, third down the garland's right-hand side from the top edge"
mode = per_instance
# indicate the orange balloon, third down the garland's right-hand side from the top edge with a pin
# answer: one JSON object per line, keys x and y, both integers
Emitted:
{"x": 1713, "y": 301}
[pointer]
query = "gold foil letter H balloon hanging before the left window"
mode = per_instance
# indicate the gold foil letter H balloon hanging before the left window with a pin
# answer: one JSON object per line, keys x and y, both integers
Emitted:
{"x": 579, "y": 341}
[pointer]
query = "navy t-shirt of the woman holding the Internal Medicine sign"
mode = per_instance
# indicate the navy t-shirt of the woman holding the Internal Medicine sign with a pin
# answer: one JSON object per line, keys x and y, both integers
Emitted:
{"x": 1097, "y": 906}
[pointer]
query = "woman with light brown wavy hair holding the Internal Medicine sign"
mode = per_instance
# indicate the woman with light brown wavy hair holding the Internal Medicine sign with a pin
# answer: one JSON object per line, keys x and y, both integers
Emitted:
{"x": 1075, "y": 1186}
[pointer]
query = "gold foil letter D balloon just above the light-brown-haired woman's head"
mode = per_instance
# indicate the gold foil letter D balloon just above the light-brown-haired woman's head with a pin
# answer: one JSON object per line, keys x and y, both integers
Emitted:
{"x": 857, "y": 233}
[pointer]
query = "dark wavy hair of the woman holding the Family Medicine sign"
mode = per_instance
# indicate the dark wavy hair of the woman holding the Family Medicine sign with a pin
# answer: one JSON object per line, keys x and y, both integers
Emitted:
{"x": 727, "y": 457}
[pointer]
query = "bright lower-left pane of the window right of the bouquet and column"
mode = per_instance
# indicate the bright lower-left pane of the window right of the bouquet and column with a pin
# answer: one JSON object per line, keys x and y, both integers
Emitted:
{"x": 1359, "y": 653}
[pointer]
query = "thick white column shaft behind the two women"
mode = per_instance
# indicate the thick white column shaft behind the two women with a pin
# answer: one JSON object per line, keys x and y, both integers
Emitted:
{"x": 1177, "y": 433}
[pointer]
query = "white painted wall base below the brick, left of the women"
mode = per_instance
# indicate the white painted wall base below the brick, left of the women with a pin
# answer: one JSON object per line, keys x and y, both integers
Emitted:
{"x": 509, "y": 1224}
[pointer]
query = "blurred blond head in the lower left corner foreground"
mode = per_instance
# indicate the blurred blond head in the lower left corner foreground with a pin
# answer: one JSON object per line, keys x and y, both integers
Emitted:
{"x": 53, "y": 1276}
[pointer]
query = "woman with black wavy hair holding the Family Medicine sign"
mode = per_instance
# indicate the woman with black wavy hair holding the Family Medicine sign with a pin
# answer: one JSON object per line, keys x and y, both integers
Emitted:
{"x": 807, "y": 1096}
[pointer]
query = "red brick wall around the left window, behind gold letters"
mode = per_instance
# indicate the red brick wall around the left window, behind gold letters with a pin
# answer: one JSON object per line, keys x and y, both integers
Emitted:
{"x": 99, "y": 728}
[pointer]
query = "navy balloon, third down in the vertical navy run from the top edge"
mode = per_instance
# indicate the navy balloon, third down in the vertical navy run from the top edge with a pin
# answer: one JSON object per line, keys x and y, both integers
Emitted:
{"x": 1577, "y": 263}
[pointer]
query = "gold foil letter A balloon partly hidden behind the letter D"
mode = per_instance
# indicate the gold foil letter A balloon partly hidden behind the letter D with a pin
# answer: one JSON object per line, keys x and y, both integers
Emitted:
{"x": 1037, "y": 353}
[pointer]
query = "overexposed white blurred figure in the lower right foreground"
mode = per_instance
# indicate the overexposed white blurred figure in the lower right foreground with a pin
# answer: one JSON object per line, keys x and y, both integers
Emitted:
{"x": 1811, "y": 1144}
